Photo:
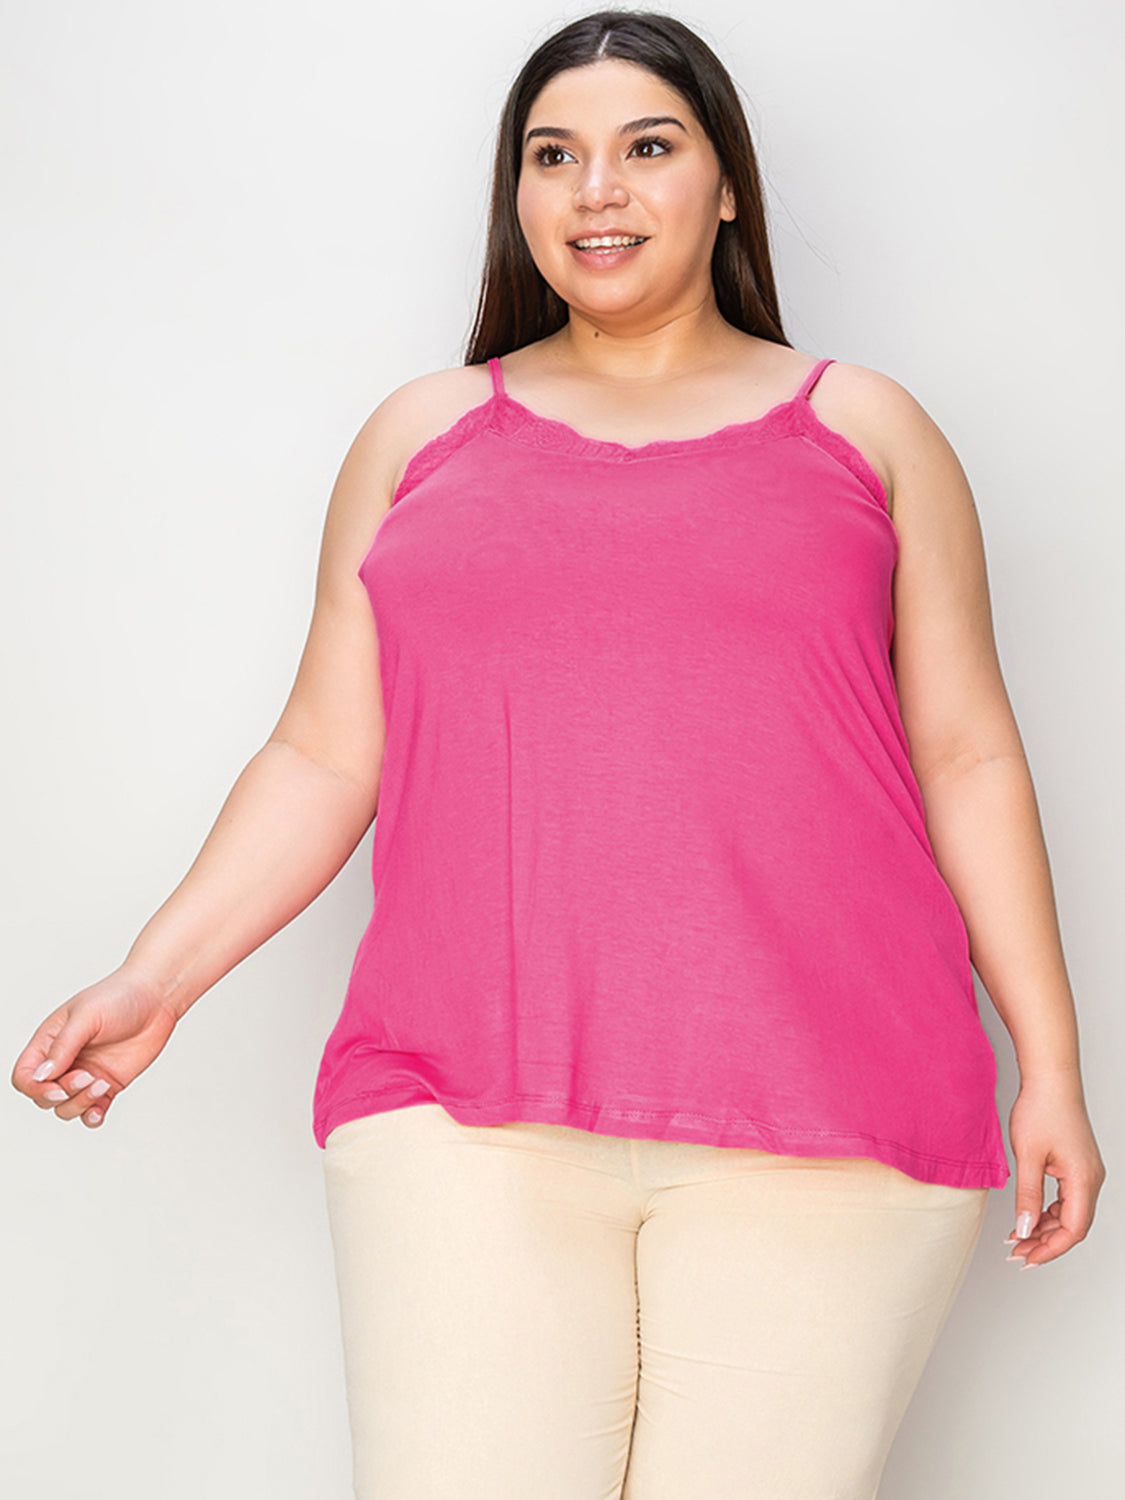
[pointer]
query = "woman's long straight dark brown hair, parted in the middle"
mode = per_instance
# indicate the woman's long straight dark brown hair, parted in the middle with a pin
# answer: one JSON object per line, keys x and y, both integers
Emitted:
{"x": 517, "y": 305}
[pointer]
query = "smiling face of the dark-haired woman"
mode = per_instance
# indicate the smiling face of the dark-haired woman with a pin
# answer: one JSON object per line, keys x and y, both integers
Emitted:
{"x": 611, "y": 149}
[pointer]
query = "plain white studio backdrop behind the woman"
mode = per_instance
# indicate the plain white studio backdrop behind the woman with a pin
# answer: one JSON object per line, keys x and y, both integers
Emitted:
{"x": 230, "y": 230}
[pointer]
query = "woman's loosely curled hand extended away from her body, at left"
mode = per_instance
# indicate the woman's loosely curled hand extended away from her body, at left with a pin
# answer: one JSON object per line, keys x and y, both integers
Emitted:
{"x": 107, "y": 1034}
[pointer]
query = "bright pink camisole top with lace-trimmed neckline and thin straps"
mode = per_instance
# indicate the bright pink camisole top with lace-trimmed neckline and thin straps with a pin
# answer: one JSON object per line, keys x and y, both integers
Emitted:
{"x": 650, "y": 857}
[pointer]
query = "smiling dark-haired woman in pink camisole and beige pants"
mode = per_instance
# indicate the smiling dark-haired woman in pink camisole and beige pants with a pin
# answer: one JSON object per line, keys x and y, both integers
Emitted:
{"x": 659, "y": 1118}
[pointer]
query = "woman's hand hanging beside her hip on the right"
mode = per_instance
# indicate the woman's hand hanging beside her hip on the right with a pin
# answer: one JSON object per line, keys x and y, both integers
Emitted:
{"x": 1051, "y": 1136}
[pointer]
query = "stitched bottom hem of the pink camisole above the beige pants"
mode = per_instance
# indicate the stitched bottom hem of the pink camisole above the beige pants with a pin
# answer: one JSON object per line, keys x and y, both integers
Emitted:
{"x": 680, "y": 1127}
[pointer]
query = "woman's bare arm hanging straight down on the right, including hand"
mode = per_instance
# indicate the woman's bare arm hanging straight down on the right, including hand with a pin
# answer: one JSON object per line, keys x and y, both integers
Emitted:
{"x": 982, "y": 812}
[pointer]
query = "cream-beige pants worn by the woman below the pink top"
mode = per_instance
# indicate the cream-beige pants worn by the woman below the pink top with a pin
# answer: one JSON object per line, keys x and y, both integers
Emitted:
{"x": 542, "y": 1313}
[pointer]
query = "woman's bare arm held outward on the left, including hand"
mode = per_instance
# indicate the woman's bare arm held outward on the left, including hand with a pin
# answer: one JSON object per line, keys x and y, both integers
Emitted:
{"x": 289, "y": 826}
